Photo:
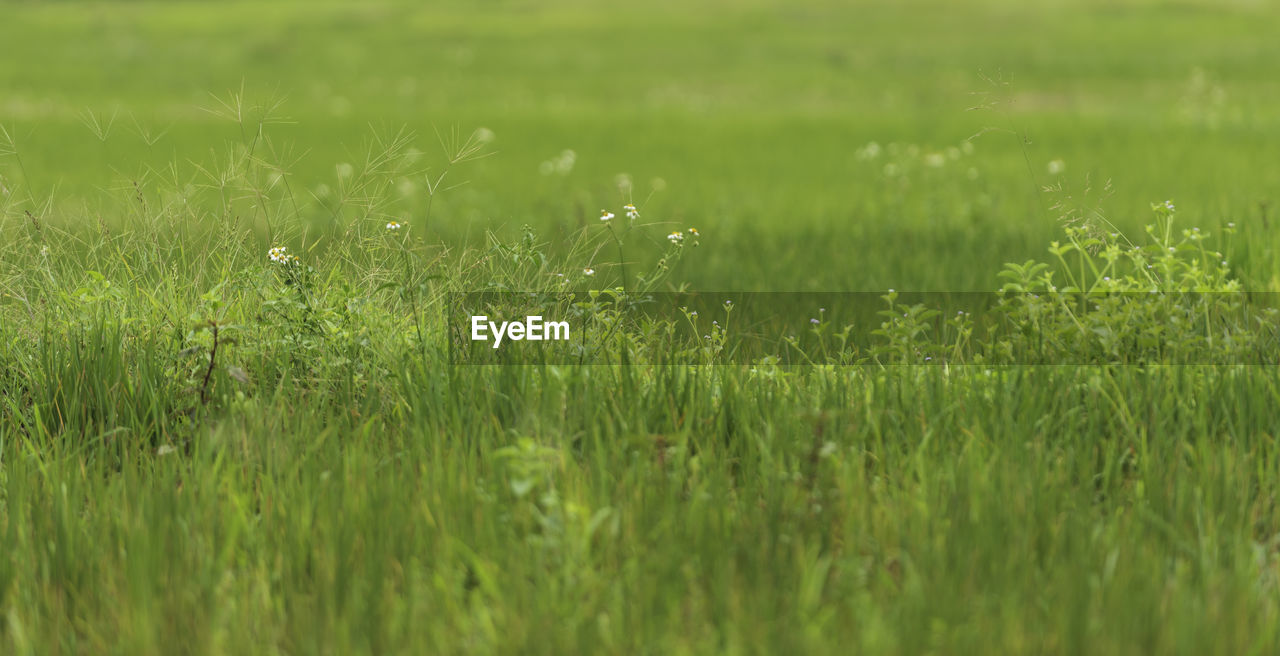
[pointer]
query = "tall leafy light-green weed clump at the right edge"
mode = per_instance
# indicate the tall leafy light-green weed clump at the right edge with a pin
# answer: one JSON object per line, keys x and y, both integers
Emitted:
{"x": 1171, "y": 300}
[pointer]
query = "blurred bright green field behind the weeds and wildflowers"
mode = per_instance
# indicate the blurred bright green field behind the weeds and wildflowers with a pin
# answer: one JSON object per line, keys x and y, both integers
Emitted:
{"x": 749, "y": 116}
